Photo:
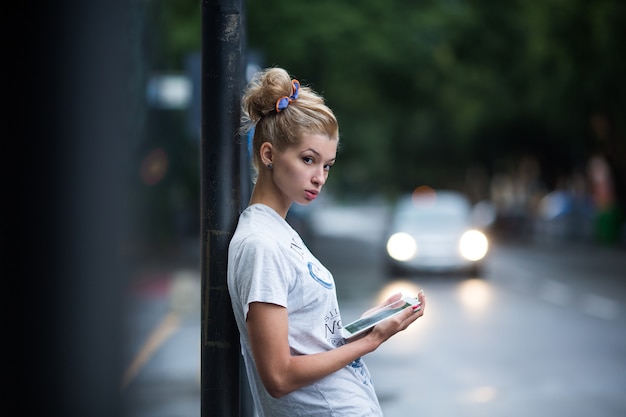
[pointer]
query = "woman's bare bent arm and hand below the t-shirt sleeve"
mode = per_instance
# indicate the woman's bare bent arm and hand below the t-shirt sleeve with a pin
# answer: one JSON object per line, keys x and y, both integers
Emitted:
{"x": 283, "y": 373}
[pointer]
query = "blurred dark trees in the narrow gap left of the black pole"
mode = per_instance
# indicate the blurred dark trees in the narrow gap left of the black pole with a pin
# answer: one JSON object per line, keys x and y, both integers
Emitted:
{"x": 164, "y": 175}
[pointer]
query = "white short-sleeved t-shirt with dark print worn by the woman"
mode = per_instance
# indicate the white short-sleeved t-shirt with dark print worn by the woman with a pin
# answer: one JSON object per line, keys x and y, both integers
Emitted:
{"x": 268, "y": 262}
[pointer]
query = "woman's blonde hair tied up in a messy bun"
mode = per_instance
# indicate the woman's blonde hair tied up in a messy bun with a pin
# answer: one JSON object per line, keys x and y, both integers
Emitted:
{"x": 308, "y": 114}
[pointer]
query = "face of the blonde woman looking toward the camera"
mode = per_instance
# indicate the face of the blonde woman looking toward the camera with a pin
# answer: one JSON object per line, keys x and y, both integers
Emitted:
{"x": 300, "y": 171}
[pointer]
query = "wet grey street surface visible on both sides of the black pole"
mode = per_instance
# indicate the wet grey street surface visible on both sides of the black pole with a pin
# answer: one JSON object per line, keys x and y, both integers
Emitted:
{"x": 541, "y": 333}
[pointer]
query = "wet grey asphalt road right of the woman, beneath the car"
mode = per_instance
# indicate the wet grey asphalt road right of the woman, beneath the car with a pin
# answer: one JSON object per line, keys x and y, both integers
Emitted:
{"x": 542, "y": 332}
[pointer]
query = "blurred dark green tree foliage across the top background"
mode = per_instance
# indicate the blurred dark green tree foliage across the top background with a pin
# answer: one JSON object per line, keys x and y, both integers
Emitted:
{"x": 426, "y": 89}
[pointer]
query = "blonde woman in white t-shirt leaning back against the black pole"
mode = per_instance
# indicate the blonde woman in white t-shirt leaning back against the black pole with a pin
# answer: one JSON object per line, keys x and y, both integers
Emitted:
{"x": 297, "y": 361}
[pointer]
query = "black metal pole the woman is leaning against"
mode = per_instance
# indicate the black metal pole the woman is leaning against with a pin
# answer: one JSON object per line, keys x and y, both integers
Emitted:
{"x": 220, "y": 201}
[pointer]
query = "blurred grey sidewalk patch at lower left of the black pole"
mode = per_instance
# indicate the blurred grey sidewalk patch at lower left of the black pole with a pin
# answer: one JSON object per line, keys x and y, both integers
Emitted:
{"x": 162, "y": 369}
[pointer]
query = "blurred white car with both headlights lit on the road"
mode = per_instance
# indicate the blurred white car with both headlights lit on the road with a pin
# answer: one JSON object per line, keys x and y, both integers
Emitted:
{"x": 435, "y": 231}
